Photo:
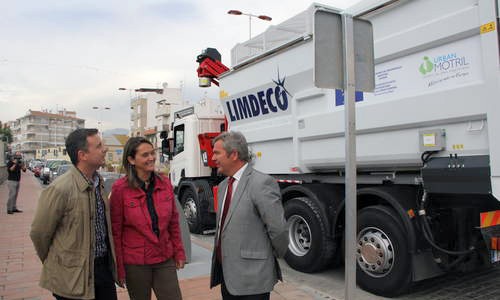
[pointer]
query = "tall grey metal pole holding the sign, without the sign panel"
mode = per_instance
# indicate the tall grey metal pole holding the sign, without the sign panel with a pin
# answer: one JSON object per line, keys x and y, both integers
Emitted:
{"x": 350, "y": 155}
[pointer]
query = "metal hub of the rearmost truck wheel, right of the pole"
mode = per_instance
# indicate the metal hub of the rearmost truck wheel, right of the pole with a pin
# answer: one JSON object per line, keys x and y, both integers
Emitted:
{"x": 375, "y": 252}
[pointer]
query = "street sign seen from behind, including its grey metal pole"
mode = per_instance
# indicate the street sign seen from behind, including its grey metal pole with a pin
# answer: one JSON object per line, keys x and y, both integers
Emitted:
{"x": 343, "y": 58}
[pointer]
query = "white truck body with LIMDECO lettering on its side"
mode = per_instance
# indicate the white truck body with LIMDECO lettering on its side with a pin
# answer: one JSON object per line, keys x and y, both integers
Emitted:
{"x": 458, "y": 94}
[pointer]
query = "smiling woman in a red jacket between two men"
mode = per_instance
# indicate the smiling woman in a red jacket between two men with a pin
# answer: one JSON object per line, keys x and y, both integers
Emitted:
{"x": 146, "y": 229}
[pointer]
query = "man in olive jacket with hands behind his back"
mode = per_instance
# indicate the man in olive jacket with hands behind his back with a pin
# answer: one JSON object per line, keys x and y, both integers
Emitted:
{"x": 71, "y": 230}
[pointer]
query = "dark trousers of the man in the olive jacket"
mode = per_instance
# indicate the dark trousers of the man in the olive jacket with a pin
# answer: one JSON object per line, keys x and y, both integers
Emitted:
{"x": 104, "y": 285}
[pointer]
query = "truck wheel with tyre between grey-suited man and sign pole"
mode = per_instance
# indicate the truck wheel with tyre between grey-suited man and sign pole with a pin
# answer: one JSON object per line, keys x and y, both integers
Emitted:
{"x": 309, "y": 249}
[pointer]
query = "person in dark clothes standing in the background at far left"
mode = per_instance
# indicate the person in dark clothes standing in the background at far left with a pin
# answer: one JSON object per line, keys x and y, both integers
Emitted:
{"x": 14, "y": 167}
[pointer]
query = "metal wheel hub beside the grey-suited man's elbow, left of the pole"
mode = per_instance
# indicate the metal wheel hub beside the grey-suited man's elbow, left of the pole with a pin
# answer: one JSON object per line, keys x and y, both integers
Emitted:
{"x": 299, "y": 235}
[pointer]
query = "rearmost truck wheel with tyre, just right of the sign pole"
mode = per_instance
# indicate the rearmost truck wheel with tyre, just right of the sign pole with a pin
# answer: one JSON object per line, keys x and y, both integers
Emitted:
{"x": 384, "y": 266}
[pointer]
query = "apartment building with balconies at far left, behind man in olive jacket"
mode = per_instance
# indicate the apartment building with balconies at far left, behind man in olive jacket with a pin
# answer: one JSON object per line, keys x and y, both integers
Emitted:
{"x": 42, "y": 129}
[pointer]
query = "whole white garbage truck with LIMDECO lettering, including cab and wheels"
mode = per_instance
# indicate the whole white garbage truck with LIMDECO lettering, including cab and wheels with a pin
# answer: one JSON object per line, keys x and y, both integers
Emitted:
{"x": 428, "y": 140}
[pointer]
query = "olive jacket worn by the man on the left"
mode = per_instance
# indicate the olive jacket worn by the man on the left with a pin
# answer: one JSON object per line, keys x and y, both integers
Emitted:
{"x": 63, "y": 233}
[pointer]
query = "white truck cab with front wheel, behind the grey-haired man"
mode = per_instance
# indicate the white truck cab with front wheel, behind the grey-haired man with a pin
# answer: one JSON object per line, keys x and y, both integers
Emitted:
{"x": 190, "y": 173}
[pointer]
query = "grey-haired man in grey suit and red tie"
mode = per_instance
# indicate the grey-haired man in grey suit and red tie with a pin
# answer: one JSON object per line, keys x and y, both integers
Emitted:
{"x": 251, "y": 229}
